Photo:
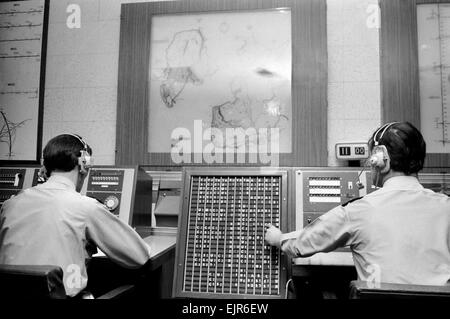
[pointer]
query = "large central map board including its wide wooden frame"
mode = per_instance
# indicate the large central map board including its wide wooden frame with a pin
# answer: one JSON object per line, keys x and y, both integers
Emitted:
{"x": 187, "y": 29}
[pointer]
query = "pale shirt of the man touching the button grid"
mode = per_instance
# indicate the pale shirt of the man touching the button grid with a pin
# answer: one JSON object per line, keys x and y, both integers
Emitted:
{"x": 401, "y": 232}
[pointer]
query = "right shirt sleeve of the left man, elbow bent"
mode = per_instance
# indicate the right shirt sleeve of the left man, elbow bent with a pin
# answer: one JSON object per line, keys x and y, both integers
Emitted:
{"x": 115, "y": 238}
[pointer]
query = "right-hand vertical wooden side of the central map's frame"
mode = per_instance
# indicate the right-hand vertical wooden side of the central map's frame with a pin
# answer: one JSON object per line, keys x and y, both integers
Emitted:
{"x": 309, "y": 85}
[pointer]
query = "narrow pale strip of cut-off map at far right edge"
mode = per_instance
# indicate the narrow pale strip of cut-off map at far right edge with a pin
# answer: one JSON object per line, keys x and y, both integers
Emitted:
{"x": 433, "y": 28}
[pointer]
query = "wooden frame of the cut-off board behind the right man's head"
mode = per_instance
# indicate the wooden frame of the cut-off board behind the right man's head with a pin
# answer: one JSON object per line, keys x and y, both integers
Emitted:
{"x": 400, "y": 96}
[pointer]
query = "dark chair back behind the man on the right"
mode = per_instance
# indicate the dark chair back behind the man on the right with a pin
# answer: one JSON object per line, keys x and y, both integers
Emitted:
{"x": 363, "y": 290}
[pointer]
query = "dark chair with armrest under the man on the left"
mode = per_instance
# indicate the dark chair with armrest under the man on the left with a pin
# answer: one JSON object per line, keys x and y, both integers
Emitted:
{"x": 42, "y": 282}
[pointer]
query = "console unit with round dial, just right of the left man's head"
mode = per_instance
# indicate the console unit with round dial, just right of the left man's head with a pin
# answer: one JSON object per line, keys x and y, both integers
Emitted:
{"x": 125, "y": 191}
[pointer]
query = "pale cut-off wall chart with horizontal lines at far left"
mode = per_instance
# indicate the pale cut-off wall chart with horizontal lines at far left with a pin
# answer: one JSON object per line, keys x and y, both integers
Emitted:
{"x": 21, "y": 40}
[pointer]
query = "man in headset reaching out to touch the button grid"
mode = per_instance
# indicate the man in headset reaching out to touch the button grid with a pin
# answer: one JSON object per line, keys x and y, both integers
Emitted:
{"x": 402, "y": 230}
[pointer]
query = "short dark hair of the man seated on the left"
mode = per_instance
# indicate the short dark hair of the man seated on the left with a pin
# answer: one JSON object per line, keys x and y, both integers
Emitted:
{"x": 62, "y": 153}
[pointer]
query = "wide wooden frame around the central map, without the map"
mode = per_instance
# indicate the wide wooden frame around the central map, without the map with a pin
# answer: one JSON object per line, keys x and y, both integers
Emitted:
{"x": 309, "y": 77}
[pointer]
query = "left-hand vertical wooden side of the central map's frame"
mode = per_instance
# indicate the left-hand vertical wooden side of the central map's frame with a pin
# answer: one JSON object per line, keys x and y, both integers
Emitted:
{"x": 132, "y": 93}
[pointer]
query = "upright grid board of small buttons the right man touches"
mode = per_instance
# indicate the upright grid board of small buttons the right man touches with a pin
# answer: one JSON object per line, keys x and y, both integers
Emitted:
{"x": 224, "y": 252}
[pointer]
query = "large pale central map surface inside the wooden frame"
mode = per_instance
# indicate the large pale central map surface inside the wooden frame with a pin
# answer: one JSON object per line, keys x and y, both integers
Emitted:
{"x": 219, "y": 71}
